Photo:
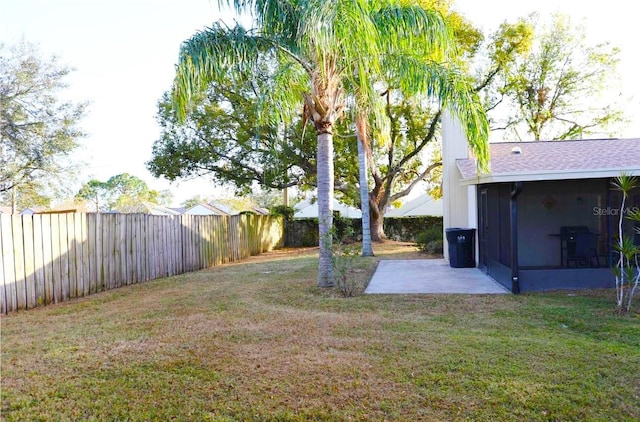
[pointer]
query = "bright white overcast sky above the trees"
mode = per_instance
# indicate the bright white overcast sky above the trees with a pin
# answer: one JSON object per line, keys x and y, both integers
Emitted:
{"x": 124, "y": 54}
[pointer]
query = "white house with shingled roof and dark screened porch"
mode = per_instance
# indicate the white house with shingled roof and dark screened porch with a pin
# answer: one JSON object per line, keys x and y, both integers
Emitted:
{"x": 528, "y": 208}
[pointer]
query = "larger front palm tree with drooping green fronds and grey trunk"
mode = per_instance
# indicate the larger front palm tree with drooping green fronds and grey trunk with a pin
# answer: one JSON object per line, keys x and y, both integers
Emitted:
{"x": 319, "y": 45}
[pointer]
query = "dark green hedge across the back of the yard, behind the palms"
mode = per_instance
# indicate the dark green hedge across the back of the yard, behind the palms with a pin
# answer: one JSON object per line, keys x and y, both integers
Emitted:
{"x": 304, "y": 231}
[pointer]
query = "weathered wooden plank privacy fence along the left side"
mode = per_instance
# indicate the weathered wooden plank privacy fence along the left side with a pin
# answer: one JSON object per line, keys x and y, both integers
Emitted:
{"x": 50, "y": 258}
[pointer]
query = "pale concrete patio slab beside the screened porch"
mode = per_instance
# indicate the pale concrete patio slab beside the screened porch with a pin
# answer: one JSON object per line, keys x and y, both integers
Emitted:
{"x": 430, "y": 276}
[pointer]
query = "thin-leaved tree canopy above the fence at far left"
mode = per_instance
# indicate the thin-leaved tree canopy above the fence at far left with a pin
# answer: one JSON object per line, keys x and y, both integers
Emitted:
{"x": 38, "y": 130}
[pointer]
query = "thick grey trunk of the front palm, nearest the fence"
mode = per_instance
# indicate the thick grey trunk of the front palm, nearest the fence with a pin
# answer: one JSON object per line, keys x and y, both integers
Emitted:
{"x": 325, "y": 208}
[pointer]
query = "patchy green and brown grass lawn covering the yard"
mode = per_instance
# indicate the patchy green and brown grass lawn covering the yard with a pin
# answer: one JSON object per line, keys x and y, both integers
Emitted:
{"x": 256, "y": 340}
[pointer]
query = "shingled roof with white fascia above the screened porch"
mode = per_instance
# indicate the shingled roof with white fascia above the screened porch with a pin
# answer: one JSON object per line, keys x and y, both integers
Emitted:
{"x": 555, "y": 160}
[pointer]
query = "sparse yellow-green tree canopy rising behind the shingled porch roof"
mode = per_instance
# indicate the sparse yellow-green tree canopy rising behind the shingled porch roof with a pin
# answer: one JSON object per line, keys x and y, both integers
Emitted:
{"x": 557, "y": 90}
